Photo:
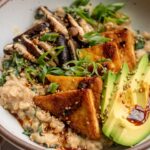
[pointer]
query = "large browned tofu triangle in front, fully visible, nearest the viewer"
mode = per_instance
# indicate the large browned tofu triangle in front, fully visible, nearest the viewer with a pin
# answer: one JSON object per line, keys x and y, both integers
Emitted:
{"x": 76, "y": 108}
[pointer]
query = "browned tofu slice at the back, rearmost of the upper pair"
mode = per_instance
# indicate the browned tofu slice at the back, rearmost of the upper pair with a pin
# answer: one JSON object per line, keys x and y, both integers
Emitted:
{"x": 124, "y": 39}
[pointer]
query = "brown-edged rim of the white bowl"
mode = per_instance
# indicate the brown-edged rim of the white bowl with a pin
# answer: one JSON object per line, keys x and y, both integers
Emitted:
{"x": 27, "y": 146}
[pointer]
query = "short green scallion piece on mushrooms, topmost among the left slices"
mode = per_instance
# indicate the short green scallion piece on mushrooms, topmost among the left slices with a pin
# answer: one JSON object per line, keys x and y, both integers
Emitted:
{"x": 50, "y": 37}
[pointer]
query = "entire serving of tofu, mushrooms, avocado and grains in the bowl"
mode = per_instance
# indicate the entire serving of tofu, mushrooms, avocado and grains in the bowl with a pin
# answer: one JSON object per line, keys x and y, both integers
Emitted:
{"x": 79, "y": 78}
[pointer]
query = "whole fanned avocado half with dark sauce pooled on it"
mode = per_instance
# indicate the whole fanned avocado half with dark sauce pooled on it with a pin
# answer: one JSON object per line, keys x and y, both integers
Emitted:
{"x": 126, "y": 105}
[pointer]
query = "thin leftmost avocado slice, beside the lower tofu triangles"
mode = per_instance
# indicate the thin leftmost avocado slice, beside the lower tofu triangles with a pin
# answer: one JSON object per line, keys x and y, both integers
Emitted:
{"x": 107, "y": 92}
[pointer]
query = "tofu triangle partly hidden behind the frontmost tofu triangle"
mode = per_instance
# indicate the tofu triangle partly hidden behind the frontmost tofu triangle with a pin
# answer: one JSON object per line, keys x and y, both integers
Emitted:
{"x": 67, "y": 83}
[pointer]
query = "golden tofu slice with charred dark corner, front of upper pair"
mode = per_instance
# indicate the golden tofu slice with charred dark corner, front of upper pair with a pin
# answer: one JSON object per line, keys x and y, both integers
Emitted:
{"x": 108, "y": 50}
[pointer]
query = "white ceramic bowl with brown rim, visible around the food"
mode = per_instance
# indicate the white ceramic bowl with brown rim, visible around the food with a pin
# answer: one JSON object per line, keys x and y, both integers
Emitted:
{"x": 18, "y": 15}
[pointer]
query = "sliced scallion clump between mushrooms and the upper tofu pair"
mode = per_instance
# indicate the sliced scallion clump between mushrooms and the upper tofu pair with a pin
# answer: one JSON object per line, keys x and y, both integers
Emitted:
{"x": 94, "y": 38}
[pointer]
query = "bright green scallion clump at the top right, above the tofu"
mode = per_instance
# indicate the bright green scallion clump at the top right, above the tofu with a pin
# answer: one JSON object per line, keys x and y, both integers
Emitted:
{"x": 107, "y": 13}
